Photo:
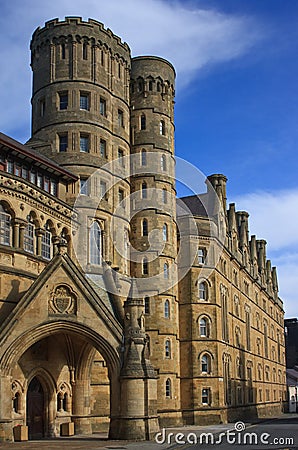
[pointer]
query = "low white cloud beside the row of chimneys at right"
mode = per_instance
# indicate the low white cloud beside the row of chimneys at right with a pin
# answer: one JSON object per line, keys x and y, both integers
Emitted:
{"x": 274, "y": 217}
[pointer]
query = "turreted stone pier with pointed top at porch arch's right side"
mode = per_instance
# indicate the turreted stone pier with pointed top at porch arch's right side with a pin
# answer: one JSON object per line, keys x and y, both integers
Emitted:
{"x": 138, "y": 417}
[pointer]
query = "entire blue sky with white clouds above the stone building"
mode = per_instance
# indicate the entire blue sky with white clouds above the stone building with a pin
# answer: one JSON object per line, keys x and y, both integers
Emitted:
{"x": 236, "y": 99}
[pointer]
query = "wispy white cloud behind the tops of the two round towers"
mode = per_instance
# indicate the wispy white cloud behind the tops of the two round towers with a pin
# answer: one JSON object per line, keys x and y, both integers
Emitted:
{"x": 191, "y": 38}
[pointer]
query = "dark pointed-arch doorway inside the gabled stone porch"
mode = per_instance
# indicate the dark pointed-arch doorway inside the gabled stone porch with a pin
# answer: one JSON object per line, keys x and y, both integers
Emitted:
{"x": 35, "y": 408}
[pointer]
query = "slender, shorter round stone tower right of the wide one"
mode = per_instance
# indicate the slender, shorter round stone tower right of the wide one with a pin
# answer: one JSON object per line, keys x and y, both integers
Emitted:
{"x": 153, "y": 222}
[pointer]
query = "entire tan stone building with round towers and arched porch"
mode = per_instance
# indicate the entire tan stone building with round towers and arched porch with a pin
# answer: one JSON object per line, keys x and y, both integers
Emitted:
{"x": 121, "y": 308}
